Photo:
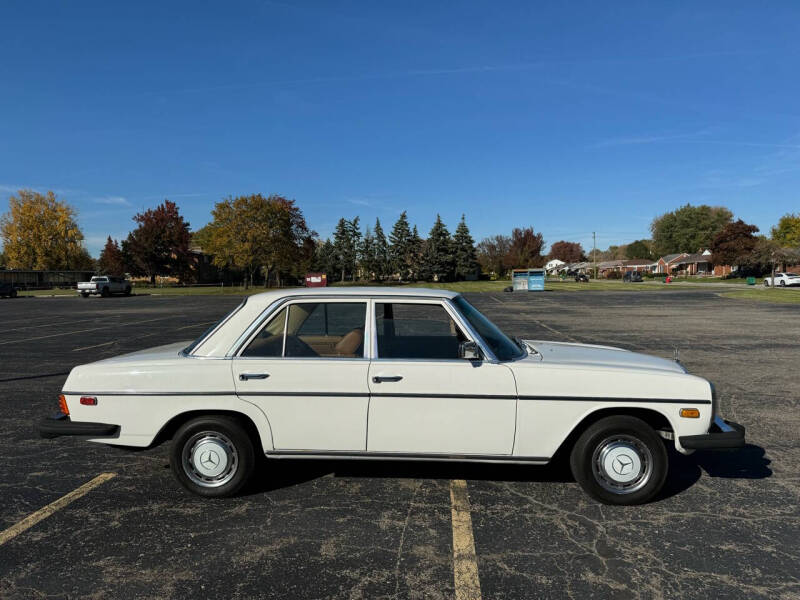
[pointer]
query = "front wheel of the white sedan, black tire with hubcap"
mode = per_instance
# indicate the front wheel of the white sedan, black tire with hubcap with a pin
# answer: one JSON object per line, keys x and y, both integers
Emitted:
{"x": 636, "y": 447}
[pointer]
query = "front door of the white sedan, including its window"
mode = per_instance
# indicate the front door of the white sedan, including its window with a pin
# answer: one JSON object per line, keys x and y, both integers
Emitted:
{"x": 427, "y": 400}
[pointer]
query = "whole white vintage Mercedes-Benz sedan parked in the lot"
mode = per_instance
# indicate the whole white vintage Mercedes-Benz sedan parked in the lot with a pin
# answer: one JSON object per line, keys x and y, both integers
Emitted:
{"x": 392, "y": 373}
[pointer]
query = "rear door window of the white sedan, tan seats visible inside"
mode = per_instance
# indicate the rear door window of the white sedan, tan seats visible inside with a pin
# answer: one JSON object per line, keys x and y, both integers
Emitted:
{"x": 313, "y": 329}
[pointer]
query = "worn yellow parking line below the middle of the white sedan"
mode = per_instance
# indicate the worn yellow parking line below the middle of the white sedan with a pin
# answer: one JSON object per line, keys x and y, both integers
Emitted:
{"x": 465, "y": 560}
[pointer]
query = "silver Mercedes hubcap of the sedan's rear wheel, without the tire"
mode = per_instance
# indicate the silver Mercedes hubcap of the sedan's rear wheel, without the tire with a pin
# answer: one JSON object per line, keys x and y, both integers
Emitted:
{"x": 210, "y": 459}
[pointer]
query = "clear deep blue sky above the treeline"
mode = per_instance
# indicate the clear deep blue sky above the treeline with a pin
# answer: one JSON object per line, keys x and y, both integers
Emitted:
{"x": 571, "y": 117}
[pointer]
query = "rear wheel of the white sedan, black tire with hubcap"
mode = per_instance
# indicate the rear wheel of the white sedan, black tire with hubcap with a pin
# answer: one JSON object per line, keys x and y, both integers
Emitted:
{"x": 226, "y": 442}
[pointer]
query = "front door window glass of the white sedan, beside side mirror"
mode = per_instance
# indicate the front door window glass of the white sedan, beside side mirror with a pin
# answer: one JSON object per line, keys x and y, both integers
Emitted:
{"x": 416, "y": 331}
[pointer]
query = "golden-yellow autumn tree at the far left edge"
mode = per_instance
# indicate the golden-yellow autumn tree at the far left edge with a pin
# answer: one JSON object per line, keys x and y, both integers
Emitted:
{"x": 41, "y": 232}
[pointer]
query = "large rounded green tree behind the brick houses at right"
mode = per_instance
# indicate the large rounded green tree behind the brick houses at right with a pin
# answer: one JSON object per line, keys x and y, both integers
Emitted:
{"x": 689, "y": 228}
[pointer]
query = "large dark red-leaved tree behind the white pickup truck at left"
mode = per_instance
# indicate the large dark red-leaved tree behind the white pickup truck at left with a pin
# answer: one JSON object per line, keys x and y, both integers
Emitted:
{"x": 160, "y": 243}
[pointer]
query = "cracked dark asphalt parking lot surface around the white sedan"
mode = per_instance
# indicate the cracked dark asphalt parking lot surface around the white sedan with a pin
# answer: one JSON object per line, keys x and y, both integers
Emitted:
{"x": 726, "y": 526}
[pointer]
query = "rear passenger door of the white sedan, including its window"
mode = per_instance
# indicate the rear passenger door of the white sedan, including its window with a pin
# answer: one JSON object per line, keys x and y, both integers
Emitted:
{"x": 307, "y": 371}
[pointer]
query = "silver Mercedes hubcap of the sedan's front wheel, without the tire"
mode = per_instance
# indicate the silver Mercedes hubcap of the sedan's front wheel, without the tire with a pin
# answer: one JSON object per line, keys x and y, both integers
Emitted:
{"x": 622, "y": 464}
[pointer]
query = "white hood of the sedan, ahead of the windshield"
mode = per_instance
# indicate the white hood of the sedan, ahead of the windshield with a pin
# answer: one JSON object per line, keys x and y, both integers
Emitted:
{"x": 587, "y": 355}
